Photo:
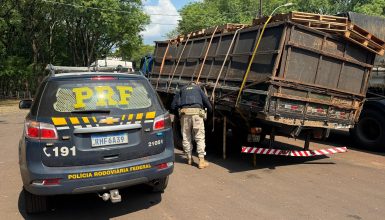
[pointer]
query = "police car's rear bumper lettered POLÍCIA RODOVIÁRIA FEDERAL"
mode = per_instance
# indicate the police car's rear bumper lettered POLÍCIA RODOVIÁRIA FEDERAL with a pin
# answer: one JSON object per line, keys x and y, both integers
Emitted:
{"x": 96, "y": 178}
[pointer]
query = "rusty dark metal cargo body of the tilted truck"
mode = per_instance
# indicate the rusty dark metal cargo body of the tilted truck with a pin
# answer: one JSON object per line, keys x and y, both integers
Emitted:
{"x": 300, "y": 79}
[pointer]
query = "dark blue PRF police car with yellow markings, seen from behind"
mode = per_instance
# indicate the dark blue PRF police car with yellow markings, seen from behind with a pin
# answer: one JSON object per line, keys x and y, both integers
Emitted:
{"x": 93, "y": 132}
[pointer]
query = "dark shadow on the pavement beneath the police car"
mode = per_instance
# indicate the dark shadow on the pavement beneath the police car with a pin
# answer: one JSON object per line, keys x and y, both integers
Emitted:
{"x": 90, "y": 206}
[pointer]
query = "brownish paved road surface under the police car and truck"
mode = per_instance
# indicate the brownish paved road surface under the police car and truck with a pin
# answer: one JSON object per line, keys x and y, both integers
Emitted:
{"x": 345, "y": 186}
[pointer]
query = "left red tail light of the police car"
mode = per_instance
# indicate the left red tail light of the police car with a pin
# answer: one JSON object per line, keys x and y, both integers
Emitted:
{"x": 40, "y": 130}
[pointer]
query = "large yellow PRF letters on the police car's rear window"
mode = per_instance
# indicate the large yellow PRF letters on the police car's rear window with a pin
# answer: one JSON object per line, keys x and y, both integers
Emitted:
{"x": 104, "y": 95}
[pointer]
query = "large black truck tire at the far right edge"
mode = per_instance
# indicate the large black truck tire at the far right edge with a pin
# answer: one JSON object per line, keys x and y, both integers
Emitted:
{"x": 369, "y": 132}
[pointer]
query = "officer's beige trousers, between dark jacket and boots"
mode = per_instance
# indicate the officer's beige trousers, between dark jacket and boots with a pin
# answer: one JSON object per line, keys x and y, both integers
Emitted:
{"x": 193, "y": 125}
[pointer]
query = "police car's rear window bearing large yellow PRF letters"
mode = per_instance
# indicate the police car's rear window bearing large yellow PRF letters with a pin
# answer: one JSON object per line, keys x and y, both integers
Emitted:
{"x": 114, "y": 95}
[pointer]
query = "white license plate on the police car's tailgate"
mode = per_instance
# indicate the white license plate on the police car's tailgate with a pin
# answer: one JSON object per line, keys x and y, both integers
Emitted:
{"x": 109, "y": 139}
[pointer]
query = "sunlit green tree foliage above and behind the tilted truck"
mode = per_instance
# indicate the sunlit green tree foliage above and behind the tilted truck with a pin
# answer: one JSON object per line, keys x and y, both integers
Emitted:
{"x": 207, "y": 13}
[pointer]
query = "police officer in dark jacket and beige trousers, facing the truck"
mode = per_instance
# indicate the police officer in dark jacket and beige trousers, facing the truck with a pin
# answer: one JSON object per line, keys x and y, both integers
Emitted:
{"x": 190, "y": 102}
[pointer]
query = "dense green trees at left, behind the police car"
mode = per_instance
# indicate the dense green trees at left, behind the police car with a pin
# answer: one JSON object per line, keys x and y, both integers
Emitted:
{"x": 34, "y": 33}
